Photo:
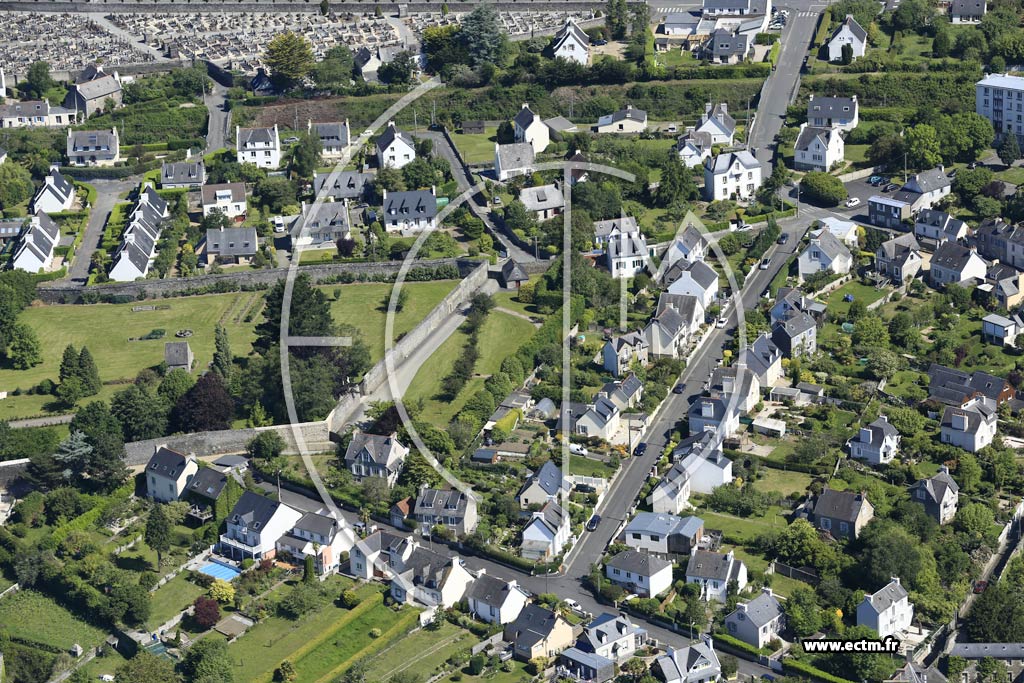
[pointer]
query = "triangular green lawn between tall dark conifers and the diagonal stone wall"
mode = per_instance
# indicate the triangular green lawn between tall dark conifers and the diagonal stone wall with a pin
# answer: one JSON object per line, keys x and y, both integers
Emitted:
{"x": 364, "y": 308}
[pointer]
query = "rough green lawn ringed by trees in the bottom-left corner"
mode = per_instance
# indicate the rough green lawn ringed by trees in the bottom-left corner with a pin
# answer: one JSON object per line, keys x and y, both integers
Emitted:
{"x": 36, "y": 618}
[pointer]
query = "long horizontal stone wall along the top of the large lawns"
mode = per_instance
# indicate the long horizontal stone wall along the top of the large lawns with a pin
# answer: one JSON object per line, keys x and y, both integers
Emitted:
{"x": 62, "y": 292}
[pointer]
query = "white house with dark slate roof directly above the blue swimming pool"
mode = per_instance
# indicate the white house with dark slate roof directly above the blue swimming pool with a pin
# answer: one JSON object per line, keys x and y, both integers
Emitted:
{"x": 254, "y": 526}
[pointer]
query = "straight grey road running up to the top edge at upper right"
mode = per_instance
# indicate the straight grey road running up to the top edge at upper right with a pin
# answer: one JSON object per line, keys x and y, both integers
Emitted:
{"x": 783, "y": 83}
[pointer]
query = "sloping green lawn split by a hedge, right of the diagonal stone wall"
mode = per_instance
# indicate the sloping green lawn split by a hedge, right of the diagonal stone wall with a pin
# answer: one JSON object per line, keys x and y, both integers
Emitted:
{"x": 501, "y": 336}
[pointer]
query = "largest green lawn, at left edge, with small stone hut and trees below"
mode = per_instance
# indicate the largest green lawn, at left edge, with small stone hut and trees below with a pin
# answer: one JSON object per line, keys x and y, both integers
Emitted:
{"x": 106, "y": 329}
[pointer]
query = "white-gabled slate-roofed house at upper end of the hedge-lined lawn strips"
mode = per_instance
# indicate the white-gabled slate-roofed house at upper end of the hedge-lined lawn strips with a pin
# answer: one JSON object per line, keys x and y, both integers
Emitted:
{"x": 432, "y": 579}
